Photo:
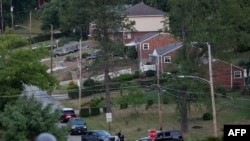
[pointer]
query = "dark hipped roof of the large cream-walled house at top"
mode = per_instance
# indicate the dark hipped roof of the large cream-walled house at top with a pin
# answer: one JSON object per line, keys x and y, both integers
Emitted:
{"x": 143, "y": 9}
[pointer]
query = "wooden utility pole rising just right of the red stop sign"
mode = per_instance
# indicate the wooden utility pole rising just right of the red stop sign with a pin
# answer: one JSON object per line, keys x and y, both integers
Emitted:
{"x": 159, "y": 90}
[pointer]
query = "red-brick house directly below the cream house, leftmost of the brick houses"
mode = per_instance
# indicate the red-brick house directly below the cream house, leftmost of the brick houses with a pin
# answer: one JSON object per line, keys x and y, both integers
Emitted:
{"x": 146, "y": 44}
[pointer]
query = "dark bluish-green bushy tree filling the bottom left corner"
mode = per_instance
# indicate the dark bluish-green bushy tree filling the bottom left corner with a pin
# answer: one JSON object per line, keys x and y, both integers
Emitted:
{"x": 28, "y": 118}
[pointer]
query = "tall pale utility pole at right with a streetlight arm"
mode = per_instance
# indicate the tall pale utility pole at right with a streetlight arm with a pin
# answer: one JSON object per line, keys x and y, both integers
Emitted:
{"x": 212, "y": 90}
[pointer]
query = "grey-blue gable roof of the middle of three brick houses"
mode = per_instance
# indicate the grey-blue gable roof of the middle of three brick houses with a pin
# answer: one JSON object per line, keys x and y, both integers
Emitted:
{"x": 167, "y": 48}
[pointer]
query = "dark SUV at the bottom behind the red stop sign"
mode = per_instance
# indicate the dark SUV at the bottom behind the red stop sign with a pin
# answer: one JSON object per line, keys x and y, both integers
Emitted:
{"x": 165, "y": 135}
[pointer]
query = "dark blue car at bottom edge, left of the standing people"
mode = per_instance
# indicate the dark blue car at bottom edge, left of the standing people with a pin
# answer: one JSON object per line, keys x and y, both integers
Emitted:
{"x": 98, "y": 135}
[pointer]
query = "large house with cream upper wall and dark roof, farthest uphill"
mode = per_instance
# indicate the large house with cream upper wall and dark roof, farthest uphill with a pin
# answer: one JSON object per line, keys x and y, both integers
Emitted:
{"x": 147, "y": 19}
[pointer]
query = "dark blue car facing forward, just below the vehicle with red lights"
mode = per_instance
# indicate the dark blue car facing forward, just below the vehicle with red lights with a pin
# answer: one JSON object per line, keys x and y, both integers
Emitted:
{"x": 76, "y": 126}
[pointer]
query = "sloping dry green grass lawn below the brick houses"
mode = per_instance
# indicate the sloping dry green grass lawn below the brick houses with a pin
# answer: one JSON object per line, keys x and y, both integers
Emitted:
{"x": 136, "y": 121}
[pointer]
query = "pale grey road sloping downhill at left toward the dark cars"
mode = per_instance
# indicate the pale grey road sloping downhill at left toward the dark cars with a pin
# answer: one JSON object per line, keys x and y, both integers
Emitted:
{"x": 45, "y": 98}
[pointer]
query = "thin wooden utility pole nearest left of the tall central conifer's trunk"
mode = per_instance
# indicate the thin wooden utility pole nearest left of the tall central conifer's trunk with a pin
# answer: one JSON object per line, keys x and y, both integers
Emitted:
{"x": 80, "y": 75}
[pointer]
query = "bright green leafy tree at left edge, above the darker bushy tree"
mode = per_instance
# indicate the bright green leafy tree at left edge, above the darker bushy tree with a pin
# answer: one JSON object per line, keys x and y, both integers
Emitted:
{"x": 20, "y": 67}
